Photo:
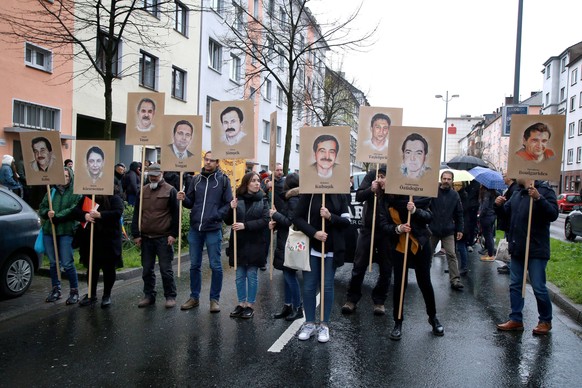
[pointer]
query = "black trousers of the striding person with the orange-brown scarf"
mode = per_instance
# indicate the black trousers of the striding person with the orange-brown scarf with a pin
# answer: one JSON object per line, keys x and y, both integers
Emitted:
{"x": 421, "y": 261}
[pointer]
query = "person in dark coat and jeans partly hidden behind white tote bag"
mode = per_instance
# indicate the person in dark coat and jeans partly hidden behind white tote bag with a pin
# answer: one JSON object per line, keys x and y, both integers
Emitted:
{"x": 282, "y": 220}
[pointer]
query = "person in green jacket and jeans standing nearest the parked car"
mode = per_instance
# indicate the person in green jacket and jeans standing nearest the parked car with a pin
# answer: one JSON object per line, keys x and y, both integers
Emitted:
{"x": 64, "y": 202}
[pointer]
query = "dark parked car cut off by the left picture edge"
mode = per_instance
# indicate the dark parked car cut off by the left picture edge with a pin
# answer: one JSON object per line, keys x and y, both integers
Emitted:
{"x": 20, "y": 226}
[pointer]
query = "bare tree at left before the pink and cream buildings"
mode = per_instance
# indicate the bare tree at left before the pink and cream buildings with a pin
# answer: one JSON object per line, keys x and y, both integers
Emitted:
{"x": 94, "y": 29}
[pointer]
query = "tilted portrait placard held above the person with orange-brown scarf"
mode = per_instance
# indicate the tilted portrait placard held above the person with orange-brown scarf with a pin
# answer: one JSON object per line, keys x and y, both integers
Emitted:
{"x": 413, "y": 168}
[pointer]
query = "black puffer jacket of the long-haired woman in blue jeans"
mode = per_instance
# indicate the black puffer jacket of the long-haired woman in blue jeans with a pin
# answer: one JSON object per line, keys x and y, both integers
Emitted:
{"x": 252, "y": 240}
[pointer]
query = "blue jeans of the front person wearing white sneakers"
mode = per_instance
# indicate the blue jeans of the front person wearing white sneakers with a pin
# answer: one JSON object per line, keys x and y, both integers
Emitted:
{"x": 311, "y": 284}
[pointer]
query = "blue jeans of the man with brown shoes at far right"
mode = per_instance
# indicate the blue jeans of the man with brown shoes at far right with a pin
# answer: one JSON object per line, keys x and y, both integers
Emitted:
{"x": 537, "y": 278}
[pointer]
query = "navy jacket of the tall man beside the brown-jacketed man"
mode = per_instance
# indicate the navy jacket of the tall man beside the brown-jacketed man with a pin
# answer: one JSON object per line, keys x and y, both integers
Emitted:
{"x": 209, "y": 196}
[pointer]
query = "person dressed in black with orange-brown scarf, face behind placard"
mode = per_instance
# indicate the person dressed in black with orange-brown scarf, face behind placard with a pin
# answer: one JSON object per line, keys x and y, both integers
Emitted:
{"x": 394, "y": 225}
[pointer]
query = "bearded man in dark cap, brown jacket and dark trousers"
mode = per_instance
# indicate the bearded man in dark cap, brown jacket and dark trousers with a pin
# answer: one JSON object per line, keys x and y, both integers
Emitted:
{"x": 159, "y": 230}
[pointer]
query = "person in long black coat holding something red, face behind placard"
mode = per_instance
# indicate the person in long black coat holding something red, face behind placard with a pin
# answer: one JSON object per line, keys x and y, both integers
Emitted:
{"x": 106, "y": 242}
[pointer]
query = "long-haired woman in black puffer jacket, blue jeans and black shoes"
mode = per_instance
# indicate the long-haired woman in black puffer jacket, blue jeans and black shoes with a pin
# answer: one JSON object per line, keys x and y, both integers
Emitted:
{"x": 252, "y": 219}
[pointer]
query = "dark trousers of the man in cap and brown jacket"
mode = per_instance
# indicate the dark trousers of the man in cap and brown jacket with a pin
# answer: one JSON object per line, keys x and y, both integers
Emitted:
{"x": 150, "y": 248}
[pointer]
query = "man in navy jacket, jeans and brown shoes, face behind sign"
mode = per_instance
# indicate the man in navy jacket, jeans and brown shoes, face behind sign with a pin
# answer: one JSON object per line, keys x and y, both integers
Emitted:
{"x": 543, "y": 212}
